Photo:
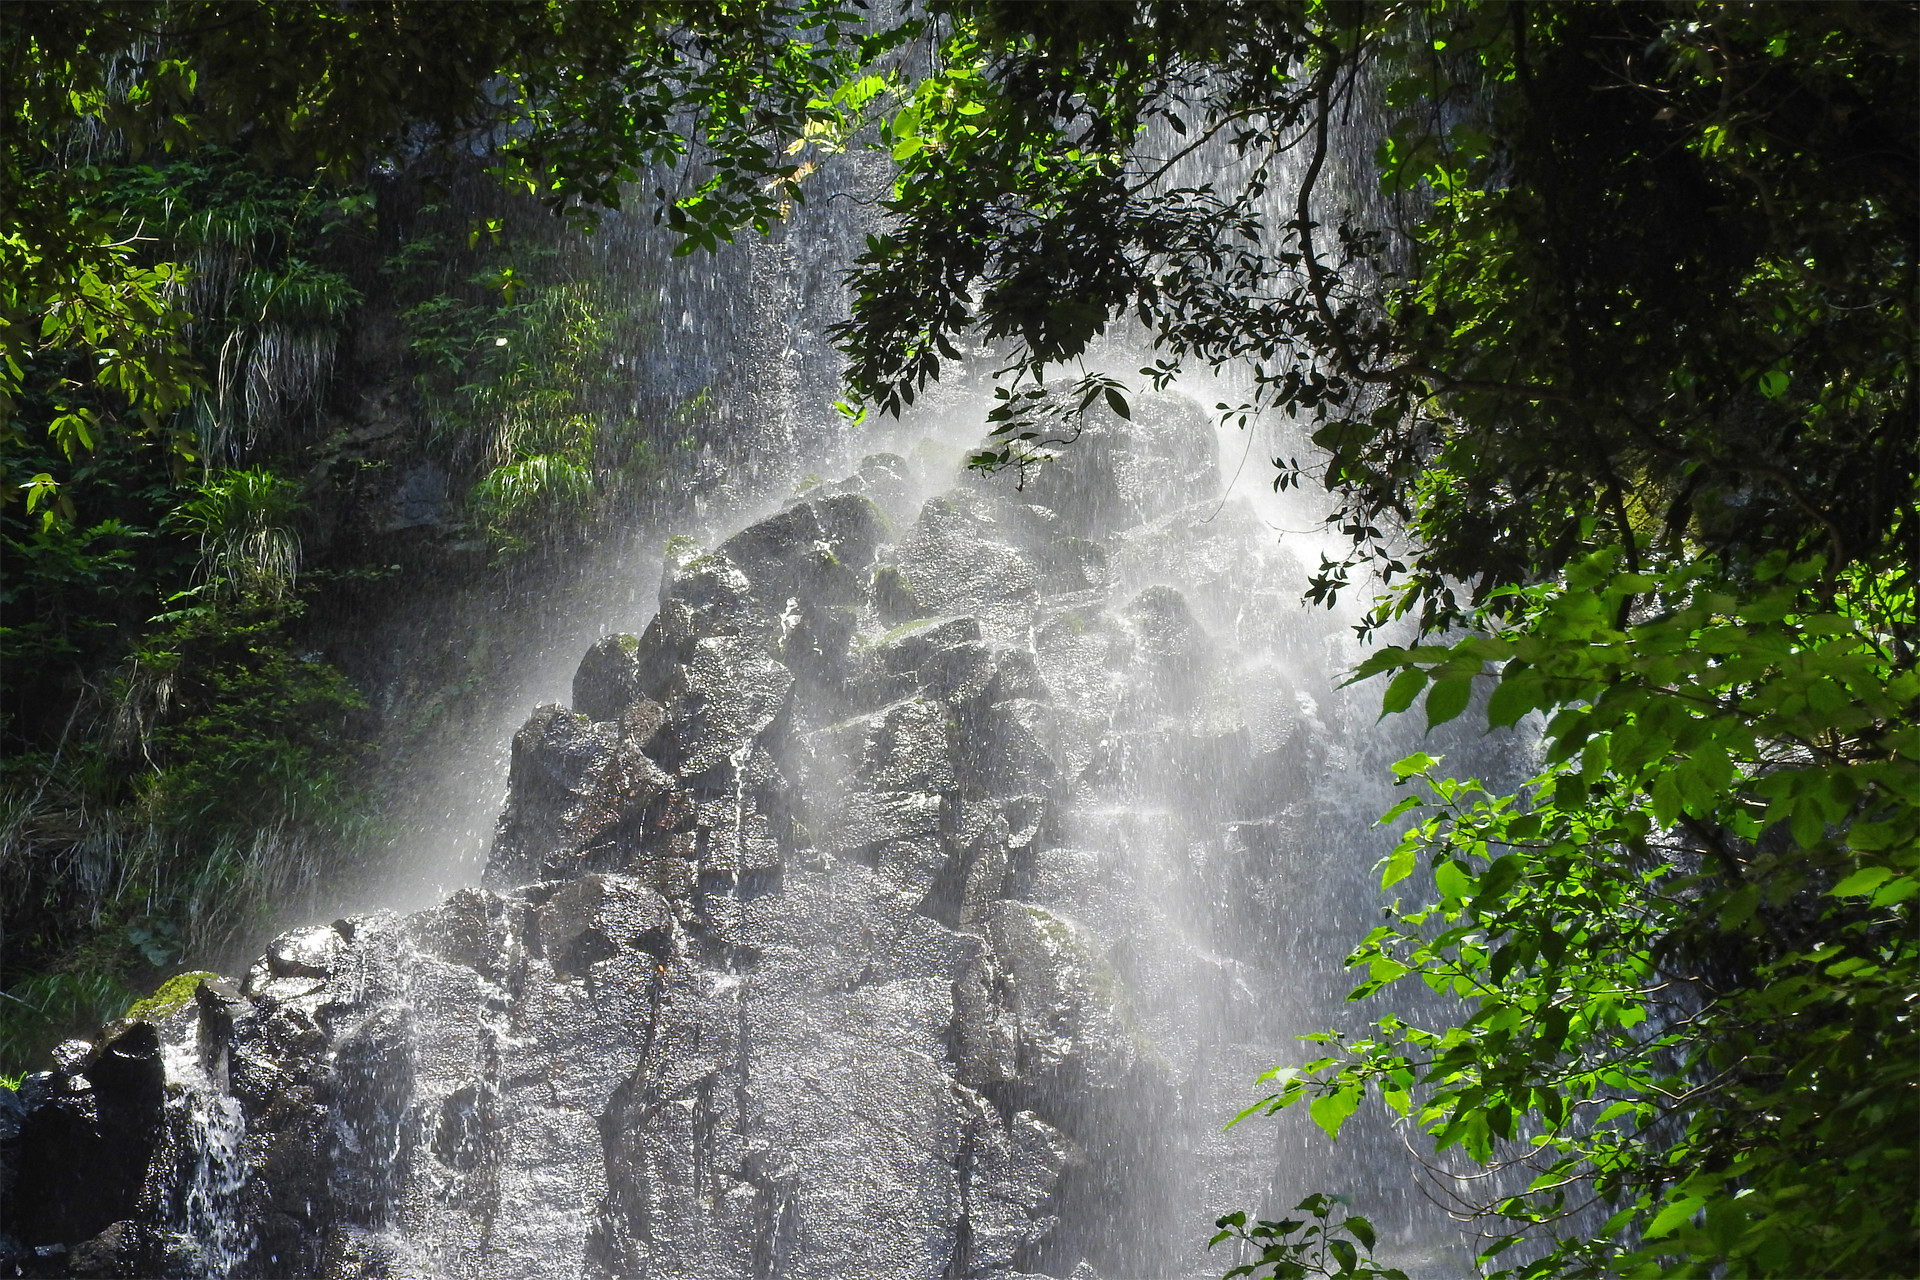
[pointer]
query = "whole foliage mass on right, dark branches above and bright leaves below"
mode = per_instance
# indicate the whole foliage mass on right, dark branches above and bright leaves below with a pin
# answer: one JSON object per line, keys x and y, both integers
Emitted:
{"x": 1616, "y": 373}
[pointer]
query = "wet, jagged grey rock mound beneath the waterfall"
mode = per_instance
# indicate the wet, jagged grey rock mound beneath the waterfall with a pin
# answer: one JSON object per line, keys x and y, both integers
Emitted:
{"x": 873, "y": 914}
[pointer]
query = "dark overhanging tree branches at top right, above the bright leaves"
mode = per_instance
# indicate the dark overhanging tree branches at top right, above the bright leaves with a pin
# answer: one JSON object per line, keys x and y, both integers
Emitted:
{"x": 1646, "y": 266}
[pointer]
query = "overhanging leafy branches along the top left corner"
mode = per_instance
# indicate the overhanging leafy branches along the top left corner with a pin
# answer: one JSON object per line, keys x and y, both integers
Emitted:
{"x": 715, "y": 108}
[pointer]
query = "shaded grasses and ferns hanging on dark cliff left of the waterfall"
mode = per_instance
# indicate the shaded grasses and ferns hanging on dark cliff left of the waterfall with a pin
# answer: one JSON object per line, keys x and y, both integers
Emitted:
{"x": 185, "y": 755}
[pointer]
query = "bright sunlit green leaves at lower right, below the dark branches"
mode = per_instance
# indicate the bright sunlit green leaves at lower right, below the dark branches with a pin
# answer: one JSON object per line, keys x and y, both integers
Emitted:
{"x": 1710, "y": 767}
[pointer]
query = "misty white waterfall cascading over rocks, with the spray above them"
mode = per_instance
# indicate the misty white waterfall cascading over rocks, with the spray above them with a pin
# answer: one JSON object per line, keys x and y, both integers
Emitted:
{"x": 917, "y": 889}
